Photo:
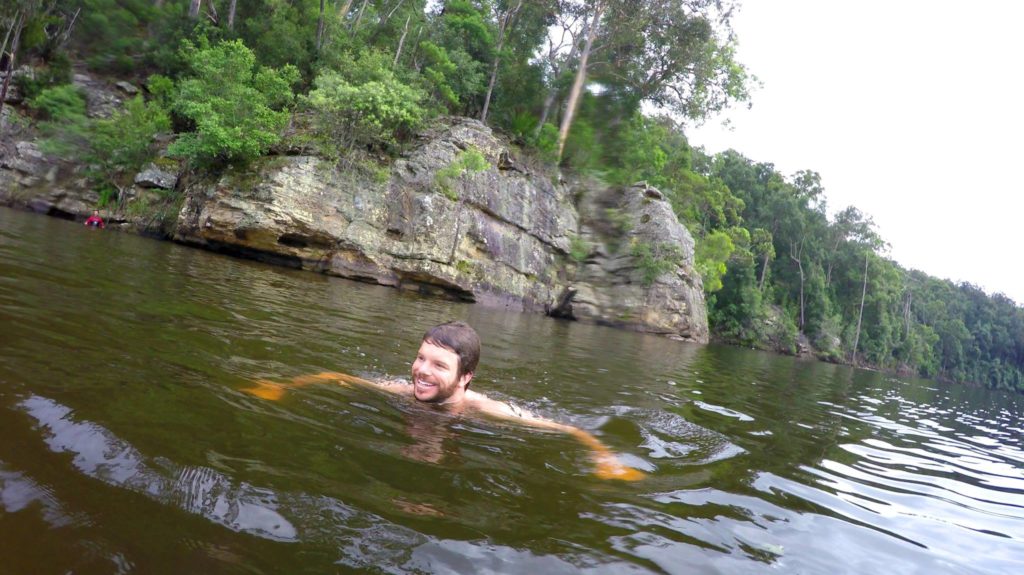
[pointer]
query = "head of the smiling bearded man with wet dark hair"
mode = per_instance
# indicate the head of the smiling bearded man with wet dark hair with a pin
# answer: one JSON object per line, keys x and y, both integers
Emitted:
{"x": 446, "y": 363}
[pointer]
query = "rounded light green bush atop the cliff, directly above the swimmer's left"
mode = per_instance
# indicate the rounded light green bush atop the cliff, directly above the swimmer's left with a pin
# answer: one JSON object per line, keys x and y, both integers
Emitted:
{"x": 378, "y": 111}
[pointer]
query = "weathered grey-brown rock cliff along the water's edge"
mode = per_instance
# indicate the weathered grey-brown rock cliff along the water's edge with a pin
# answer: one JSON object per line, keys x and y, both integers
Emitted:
{"x": 490, "y": 232}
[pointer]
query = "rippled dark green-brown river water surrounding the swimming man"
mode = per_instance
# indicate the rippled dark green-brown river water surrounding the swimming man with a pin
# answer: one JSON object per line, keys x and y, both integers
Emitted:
{"x": 126, "y": 446}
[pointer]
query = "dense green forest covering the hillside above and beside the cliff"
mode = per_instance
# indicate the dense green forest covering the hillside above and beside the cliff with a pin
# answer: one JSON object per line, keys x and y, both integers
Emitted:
{"x": 570, "y": 82}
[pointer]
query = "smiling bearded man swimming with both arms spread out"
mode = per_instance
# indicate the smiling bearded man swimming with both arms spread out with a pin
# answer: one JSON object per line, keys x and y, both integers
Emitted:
{"x": 444, "y": 368}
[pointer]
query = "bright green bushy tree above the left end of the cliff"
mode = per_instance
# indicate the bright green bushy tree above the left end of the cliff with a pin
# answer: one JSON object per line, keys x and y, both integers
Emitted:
{"x": 239, "y": 109}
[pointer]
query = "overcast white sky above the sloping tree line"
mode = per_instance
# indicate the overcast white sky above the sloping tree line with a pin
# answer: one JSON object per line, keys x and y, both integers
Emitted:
{"x": 913, "y": 111}
